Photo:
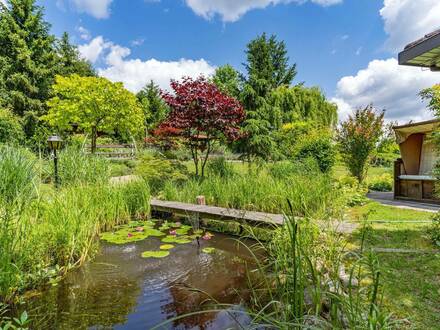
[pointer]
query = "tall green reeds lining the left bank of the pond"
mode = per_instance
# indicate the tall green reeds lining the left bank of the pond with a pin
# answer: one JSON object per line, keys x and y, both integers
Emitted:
{"x": 43, "y": 235}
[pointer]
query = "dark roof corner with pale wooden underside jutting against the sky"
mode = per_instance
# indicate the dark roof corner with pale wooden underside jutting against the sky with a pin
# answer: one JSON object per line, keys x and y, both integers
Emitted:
{"x": 424, "y": 52}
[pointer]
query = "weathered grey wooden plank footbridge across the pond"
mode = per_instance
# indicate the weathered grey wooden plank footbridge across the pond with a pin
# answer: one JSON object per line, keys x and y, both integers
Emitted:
{"x": 214, "y": 212}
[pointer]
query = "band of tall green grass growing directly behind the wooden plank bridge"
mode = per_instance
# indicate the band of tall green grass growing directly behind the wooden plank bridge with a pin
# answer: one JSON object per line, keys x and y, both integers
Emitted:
{"x": 310, "y": 191}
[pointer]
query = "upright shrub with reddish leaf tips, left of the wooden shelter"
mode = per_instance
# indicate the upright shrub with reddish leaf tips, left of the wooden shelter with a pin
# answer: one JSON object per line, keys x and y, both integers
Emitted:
{"x": 358, "y": 138}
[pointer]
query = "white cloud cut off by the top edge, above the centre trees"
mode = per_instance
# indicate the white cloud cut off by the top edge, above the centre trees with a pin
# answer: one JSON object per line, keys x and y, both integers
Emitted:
{"x": 232, "y": 10}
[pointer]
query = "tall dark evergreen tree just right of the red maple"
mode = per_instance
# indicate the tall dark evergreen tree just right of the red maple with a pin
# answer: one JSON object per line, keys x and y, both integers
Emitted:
{"x": 267, "y": 68}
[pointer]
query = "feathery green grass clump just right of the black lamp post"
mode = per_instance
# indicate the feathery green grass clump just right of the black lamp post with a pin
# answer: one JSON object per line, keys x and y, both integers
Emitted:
{"x": 76, "y": 168}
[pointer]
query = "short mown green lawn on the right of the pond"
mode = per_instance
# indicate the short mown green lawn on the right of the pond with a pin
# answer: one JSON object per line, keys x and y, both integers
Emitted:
{"x": 411, "y": 281}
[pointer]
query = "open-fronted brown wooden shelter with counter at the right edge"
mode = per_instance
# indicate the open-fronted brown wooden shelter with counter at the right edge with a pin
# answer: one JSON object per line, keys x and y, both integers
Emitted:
{"x": 413, "y": 172}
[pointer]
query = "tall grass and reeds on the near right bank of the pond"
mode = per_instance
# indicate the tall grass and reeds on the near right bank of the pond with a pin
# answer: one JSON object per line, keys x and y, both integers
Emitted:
{"x": 304, "y": 283}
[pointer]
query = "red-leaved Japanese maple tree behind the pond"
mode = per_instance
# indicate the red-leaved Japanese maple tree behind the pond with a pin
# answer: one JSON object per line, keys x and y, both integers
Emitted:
{"x": 201, "y": 114}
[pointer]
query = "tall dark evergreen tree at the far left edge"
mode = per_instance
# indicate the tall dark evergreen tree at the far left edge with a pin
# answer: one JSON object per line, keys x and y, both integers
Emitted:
{"x": 28, "y": 58}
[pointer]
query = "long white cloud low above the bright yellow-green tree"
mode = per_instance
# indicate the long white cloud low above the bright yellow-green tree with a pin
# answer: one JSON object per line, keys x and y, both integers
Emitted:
{"x": 136, "y": 73}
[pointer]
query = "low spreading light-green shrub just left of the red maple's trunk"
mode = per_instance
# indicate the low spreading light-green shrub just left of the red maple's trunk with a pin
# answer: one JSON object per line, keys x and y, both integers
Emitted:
{"x": 158, "y": 171}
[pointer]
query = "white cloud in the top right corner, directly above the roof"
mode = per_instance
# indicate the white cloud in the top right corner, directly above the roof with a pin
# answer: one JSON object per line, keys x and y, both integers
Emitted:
{"x": 408, "y": 20}
